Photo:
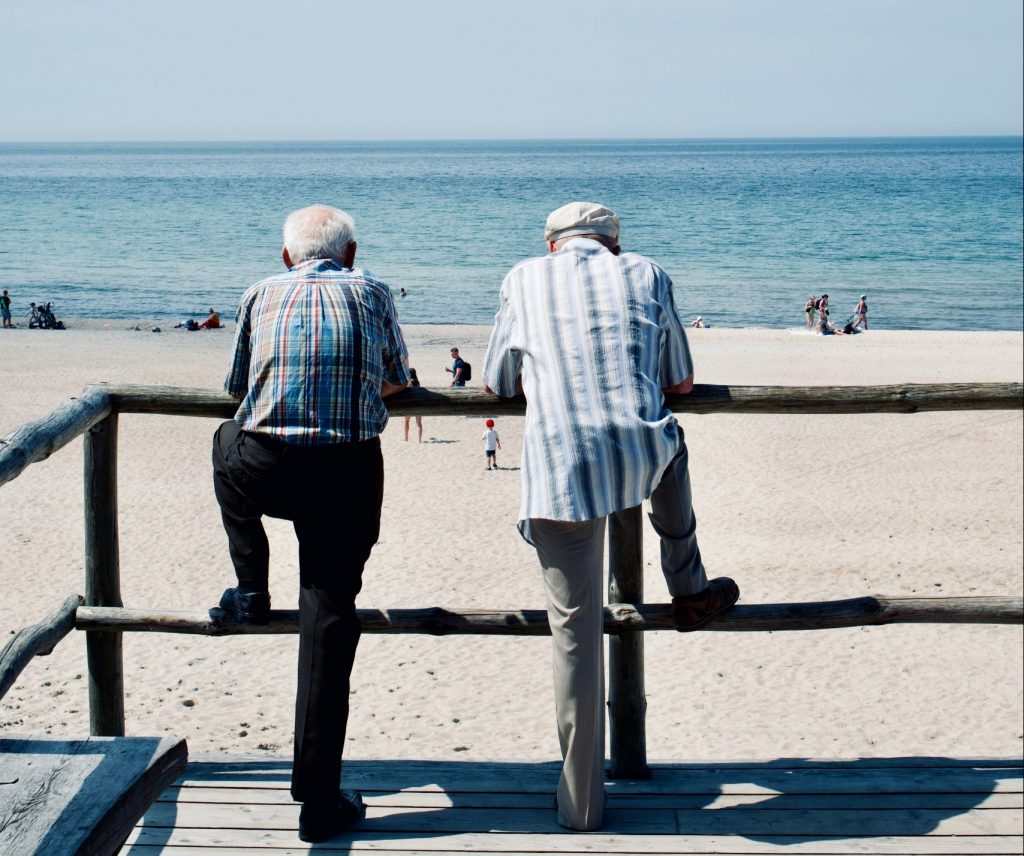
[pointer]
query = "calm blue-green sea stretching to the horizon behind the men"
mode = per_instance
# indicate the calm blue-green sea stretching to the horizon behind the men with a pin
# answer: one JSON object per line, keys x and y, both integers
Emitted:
{"x": 931, "y": 230}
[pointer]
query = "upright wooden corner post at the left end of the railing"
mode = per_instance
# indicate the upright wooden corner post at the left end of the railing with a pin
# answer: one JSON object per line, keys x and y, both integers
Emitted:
{"x": 103, "y": 578}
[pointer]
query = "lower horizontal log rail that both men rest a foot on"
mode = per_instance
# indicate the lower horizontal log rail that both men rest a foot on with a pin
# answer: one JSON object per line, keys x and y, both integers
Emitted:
{"x": 619, "y": 618}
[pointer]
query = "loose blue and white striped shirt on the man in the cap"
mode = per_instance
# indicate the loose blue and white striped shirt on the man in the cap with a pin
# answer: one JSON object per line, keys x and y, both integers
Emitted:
{"x": 595, "y": 338}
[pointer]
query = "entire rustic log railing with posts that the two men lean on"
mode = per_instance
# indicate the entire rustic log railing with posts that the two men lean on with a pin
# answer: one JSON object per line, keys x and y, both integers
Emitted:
{"x": 96, "y": 413}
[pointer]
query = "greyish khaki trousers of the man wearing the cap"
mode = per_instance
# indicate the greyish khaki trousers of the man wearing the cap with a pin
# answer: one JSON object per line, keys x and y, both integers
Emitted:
{"x": 572, "y": 557}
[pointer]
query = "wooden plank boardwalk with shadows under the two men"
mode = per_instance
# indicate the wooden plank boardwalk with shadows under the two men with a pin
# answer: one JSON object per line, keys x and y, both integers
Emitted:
{"x": 234, "y": 806}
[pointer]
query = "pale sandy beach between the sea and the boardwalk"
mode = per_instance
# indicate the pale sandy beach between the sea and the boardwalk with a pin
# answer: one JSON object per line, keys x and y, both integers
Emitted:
{"x": 794, "y": 507}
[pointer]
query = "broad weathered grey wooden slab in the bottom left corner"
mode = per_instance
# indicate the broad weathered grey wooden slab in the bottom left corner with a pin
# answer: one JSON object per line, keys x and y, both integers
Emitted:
{"x": 80, "y": 797}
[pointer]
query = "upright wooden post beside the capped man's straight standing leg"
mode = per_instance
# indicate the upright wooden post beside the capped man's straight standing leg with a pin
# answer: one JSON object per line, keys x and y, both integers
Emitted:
{"x": 627, "y": 701}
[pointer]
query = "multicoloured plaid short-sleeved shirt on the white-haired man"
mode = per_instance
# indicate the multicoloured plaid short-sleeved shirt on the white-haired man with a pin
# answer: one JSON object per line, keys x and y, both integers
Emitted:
{"x": 312, "y": 349}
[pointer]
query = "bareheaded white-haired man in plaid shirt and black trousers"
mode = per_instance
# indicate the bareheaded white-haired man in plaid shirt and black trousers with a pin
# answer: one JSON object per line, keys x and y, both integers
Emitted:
{"x": 305, "y": 447}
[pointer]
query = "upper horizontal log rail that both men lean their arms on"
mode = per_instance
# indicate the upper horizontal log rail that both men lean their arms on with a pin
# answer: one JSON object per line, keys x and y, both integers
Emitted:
{"x": 706, "y": 399}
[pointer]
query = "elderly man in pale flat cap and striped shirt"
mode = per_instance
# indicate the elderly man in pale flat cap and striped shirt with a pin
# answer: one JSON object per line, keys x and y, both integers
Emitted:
{"x": 591, "y": 336}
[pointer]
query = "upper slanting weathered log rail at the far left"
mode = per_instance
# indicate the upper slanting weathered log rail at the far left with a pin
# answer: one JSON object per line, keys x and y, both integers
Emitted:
{"x": 37, "y": 441}
